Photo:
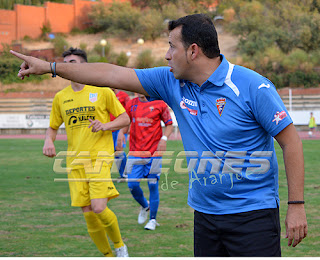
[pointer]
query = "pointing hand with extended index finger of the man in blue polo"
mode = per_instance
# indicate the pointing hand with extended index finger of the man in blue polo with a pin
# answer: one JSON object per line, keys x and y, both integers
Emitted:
{"x": 31, "y": 65}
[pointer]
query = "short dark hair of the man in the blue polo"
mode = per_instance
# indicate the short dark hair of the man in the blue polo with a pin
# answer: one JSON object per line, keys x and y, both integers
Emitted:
{"x": 199, "y": 29}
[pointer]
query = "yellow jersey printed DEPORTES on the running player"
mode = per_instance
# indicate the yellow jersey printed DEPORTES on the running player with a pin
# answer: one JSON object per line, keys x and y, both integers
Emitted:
{"x": 74, "y": 110}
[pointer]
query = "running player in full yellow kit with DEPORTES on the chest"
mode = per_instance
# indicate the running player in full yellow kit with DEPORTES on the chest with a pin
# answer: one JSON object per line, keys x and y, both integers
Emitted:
{"x": 85, "y": 111}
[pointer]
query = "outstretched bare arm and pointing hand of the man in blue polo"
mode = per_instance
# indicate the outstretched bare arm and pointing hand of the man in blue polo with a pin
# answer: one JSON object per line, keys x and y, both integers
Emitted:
{"x": 95, "y": 74}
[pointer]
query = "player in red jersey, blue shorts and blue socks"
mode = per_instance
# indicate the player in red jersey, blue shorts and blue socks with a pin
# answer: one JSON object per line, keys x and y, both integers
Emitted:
{"x": 146, "y": 136}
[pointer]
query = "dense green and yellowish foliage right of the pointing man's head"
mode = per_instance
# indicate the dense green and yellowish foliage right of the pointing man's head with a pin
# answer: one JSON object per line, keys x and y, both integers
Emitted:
{"x": 280, "y": 39}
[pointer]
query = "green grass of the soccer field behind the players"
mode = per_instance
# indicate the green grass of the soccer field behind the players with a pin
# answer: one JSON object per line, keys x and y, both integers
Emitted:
{"x": 37, "y": 219}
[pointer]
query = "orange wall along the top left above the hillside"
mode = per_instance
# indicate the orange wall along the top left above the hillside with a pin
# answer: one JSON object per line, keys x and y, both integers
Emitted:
{"x": 26, "y": 20}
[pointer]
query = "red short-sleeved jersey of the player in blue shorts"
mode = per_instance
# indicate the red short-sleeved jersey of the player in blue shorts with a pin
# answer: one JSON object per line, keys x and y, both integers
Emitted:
{"x": 145, "y": 128}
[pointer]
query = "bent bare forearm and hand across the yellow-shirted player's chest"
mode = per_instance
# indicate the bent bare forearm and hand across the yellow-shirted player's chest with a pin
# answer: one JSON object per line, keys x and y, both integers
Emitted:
{"x": 119, "y": 122}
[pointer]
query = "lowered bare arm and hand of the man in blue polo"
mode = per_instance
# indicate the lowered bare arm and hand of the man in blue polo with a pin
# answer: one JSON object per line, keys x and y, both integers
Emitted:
{"x": 296, "y": 221}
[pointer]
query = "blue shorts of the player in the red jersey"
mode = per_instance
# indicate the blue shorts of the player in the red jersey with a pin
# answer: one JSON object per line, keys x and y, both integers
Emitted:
{"x": 139, "y": 167}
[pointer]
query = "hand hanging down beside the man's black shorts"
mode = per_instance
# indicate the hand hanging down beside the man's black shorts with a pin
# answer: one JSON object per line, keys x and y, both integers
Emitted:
{"x": 296, "y": 224}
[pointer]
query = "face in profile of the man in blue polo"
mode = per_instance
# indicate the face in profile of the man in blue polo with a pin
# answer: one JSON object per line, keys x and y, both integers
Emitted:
{"x": 177, "y": 55}
